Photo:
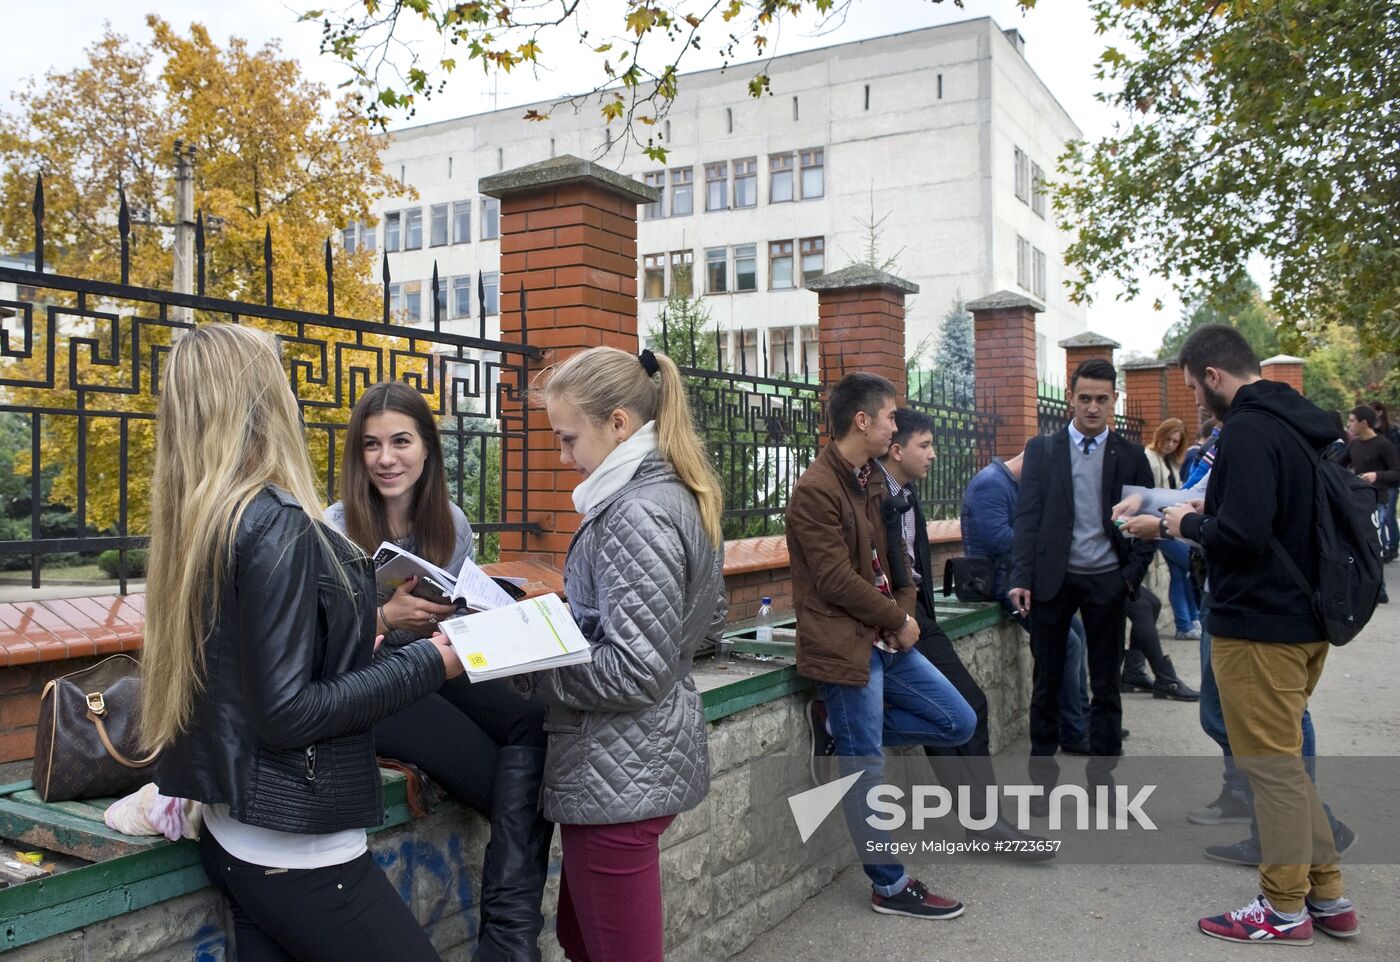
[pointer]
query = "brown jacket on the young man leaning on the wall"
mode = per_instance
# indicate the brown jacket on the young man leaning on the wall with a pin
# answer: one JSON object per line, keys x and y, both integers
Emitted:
{"x": 831, "y": 524}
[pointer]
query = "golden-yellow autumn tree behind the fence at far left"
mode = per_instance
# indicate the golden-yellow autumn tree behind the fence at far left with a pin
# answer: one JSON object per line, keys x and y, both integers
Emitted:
{"x": 274, "y": 153}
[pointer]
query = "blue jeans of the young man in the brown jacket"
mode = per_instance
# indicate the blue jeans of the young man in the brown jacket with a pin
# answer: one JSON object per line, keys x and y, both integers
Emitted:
{"x": 906, "y": 702}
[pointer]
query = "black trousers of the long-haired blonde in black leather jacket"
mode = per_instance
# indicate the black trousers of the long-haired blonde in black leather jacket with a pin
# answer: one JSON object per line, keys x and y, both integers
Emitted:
{"x": 341, "y": 914}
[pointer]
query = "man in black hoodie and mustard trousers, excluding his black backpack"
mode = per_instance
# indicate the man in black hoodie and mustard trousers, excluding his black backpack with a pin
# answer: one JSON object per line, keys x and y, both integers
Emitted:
{"x": 1258, "y": 524}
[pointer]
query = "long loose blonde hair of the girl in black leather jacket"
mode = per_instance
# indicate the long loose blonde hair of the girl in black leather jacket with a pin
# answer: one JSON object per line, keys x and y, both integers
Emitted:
{"x": 226, "y": 426}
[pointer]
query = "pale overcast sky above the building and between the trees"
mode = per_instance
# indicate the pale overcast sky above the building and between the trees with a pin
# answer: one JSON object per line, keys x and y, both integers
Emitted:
{"x": 1060, "y": 46}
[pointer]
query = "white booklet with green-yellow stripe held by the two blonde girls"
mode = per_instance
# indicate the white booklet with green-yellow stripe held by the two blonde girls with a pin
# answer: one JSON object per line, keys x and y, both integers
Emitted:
{"x": 527, "y": 636}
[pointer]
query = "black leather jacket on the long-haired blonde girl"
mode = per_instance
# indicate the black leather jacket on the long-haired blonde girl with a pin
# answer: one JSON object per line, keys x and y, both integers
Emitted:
{"x": 282, "y": 729}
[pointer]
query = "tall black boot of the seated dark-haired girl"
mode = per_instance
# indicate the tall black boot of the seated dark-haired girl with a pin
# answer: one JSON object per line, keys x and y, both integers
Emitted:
{"x": 517, "y": 862}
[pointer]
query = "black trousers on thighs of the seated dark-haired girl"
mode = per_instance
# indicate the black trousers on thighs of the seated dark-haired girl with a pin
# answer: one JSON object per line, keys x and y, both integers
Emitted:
{"x": 456, "y": 734}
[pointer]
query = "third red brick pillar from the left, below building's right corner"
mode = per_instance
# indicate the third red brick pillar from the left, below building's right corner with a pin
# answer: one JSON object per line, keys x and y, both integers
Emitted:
{"x": 1004, "y": 330}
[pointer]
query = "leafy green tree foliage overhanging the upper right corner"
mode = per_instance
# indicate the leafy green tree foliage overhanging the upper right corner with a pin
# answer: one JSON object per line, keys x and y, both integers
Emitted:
{"x": 1263, "y": 128}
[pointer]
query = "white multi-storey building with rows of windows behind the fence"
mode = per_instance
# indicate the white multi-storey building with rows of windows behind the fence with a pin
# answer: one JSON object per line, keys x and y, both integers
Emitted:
{"x": 940, "y": 135}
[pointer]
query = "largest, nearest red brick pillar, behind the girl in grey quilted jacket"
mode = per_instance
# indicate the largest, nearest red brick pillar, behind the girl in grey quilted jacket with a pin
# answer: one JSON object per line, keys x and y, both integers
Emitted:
{"x": 569, "y": 235}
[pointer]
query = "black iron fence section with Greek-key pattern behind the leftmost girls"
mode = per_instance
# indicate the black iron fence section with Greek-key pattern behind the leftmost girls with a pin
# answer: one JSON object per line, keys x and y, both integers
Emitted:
{"x": 80, "y": 368}
